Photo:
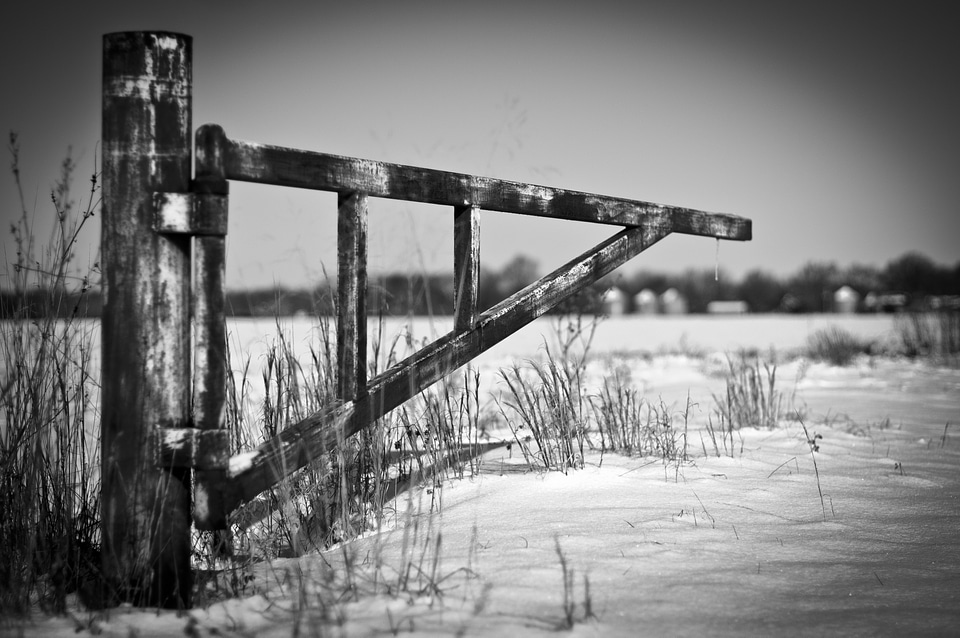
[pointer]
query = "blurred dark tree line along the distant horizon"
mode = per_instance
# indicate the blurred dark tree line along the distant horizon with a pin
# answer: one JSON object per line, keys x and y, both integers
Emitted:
{"x": 912, "y": 278}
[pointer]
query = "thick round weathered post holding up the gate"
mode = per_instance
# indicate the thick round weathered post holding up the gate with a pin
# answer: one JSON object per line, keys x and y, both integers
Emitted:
{"x": 146, "y": 330}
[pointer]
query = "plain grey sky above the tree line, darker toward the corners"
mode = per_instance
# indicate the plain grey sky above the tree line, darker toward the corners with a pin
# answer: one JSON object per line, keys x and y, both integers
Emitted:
{"x": 834, "y": 128}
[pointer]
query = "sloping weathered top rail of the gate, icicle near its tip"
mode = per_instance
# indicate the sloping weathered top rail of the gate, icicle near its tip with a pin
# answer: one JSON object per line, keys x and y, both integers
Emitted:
{"x": 280, "y": 166}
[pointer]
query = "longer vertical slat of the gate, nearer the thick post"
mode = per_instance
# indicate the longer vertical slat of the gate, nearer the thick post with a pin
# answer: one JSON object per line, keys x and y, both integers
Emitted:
{"x": 351, "y": 295}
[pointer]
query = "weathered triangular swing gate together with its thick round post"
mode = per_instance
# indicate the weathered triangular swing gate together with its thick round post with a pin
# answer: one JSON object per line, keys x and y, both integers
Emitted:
{"x": 165, "y": 450}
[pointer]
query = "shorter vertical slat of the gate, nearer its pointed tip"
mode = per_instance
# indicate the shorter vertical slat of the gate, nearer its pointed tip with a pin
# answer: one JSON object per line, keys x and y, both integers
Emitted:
{"x": 466, "y": 266}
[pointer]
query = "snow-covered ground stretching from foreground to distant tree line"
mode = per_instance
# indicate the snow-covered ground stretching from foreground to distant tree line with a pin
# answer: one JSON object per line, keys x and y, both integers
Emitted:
{"x": 730, "y": 545}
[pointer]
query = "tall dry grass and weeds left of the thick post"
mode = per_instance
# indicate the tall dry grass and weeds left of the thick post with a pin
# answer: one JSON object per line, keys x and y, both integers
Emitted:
{"x": 49, "y": 445}
